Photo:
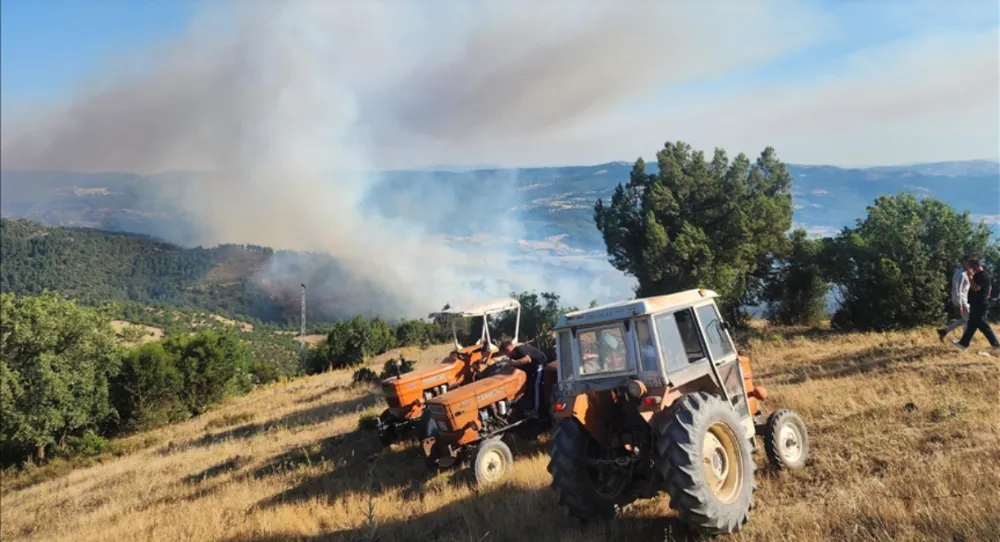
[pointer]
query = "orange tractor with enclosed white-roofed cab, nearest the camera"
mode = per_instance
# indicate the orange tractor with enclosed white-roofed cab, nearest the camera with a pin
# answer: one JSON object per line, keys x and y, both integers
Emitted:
{"x": 653, "y": 396}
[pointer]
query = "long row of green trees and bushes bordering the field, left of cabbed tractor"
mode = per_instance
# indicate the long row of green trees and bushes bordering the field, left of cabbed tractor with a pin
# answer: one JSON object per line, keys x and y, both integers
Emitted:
{"x": 68, "y": 383}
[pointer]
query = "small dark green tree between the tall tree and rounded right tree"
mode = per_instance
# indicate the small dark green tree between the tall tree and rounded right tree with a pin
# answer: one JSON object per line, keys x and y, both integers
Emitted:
{"x": 797, "y": 292}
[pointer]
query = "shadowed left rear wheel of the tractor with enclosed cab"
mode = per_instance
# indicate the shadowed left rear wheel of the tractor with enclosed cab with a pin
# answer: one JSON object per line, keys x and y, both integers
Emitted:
{"x": 589, "y": 490}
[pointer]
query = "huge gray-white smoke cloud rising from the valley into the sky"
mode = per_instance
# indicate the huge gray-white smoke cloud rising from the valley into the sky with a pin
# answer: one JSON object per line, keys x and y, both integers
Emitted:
{"x": 292, "y": 106}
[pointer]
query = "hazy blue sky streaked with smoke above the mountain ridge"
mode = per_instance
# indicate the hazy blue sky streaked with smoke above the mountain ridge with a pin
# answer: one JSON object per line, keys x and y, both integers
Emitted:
{"x": 111, "y": 84}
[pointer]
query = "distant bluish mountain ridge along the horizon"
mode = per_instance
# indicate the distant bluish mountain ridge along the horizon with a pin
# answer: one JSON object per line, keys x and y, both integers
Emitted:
{"x": 546, "y": 202}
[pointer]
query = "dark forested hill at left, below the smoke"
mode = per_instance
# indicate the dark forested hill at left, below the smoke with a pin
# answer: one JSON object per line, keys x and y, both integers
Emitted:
{"x": 95, "y": 266}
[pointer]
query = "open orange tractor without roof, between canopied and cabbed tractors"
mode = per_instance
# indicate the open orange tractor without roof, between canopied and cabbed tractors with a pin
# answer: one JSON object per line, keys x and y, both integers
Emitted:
{"x": 473, "y": 421}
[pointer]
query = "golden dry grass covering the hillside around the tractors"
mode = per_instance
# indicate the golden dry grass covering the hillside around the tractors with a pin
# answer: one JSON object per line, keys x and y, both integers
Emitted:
{"x": 905, "y": 434}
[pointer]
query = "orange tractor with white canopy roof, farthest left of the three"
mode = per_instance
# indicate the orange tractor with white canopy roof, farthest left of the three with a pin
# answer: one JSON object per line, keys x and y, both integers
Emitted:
{"x": 406, "y": 394}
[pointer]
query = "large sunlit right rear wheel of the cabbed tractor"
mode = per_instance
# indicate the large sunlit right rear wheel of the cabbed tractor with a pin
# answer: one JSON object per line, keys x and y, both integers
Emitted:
{"x": 706, "y": 464}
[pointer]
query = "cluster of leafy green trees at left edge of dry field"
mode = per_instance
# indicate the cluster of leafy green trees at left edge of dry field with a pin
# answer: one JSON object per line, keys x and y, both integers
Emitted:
{"x": 67, "y": 383}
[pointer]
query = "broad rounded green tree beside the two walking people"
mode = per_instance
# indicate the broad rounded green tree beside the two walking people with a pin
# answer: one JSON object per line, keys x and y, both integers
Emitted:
{"x": 894, "y": 268}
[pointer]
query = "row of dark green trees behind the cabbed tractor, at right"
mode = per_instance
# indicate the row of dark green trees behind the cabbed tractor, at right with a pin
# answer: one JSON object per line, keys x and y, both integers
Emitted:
{"x": 725, "y": 225}
